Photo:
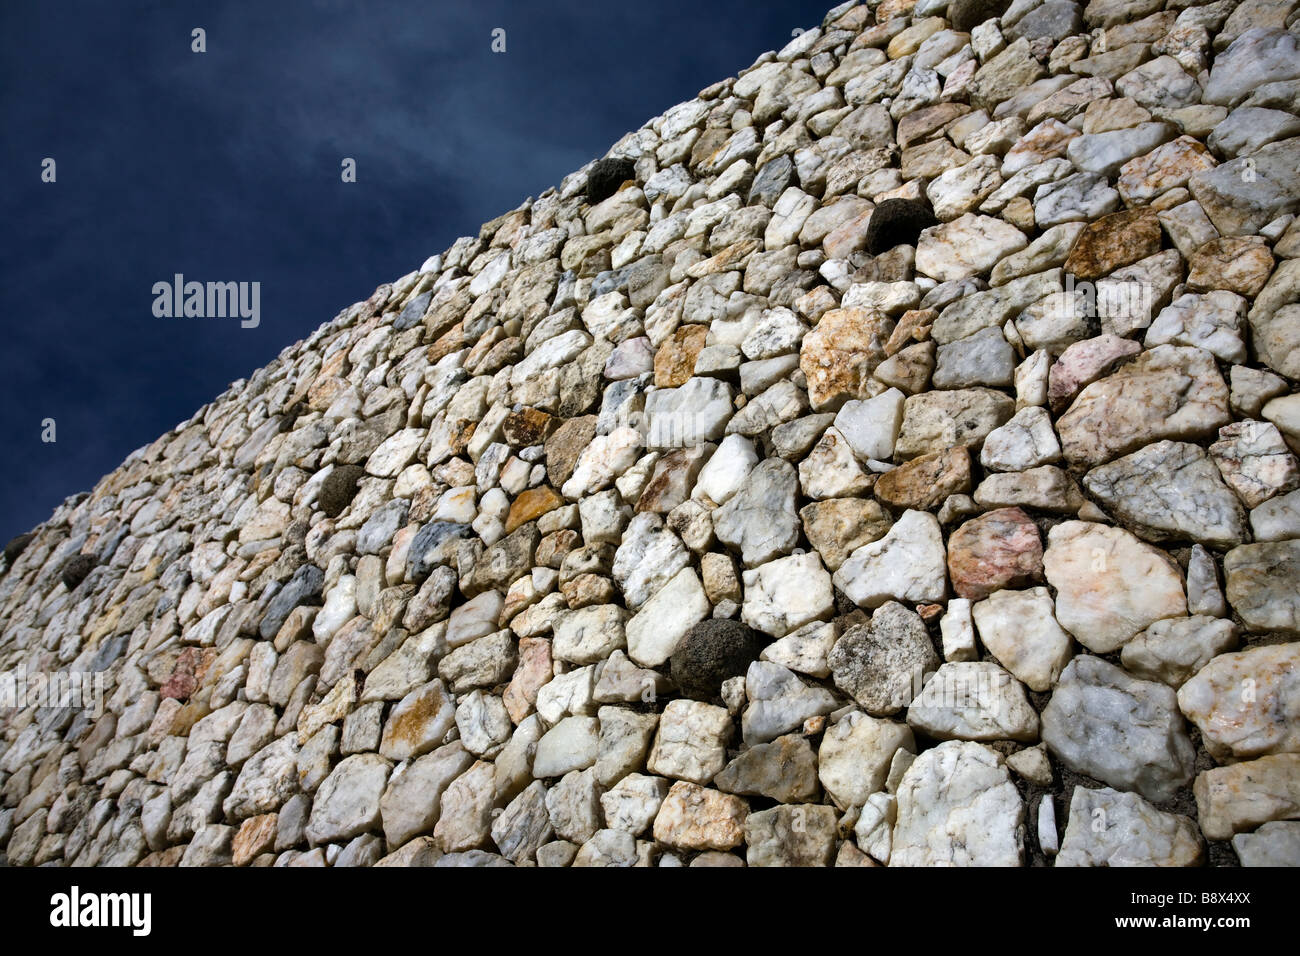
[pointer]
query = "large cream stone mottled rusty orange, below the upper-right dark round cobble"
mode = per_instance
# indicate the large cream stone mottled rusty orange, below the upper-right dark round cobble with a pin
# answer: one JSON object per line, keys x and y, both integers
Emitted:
{"x": 839, "y": 356}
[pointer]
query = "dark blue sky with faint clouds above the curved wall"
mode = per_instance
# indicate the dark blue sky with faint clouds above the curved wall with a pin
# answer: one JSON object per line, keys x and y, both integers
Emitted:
{"x": 226, "y": 167}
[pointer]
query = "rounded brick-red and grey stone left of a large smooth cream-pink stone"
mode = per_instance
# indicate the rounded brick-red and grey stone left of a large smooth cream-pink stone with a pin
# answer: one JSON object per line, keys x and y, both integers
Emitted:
{"x": 998, "y": 551}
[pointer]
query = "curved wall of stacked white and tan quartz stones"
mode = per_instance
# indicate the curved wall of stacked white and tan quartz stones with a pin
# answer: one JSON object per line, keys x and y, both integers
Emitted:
{"x": 887, "y": 457}
